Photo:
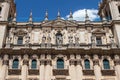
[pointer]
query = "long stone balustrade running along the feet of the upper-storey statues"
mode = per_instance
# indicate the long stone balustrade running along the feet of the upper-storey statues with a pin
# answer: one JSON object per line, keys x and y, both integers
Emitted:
{"x": 63, "y": 46}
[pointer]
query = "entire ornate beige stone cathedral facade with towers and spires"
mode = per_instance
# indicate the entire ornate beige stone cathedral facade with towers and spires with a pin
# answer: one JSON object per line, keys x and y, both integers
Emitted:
{"x": 60, "y": 49}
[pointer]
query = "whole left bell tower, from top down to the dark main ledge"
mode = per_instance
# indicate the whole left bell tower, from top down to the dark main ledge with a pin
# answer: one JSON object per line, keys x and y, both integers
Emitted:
{"x": 7, "y": 11}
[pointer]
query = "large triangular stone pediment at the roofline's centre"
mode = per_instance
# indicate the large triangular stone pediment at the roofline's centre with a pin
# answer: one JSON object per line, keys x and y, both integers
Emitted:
{"x": 59, "y": 23}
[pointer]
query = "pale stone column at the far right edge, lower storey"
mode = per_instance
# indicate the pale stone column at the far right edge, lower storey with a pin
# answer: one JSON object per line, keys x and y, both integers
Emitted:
{"x": 117, "y": 66}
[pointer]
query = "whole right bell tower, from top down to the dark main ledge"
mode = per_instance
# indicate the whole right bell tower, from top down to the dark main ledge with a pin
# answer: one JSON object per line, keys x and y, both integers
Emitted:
{"x": 109, "y": 10}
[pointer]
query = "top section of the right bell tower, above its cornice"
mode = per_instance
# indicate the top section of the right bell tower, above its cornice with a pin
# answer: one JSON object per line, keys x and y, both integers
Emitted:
{"x": 109, "y": 9}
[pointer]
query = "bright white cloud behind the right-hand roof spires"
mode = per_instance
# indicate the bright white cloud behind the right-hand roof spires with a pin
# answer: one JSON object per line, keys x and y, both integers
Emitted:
{"x": 79, "y": 15}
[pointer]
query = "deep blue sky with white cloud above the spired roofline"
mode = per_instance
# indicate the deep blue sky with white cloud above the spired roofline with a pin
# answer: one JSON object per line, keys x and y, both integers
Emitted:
{"x": 39, "y": 7}
